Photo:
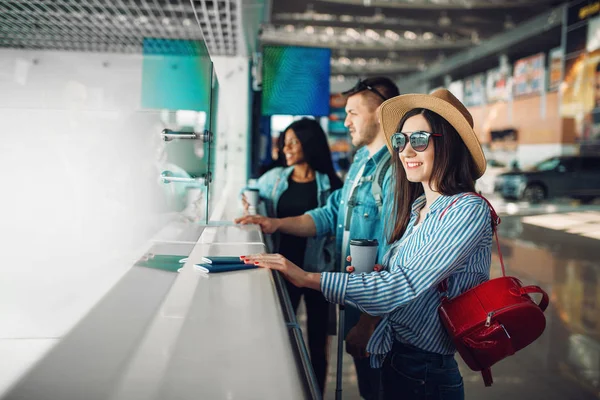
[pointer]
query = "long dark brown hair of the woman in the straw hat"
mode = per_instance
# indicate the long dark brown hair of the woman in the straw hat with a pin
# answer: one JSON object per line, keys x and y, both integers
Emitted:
{"x": 453, "y": 170}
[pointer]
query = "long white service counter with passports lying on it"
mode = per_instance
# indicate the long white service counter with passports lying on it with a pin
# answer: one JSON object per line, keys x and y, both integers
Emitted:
{"x": 186, "y": 335}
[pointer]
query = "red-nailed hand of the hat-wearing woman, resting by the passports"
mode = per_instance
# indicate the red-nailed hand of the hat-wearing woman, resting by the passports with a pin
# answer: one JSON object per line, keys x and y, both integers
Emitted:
{"x": 296, "y": 275}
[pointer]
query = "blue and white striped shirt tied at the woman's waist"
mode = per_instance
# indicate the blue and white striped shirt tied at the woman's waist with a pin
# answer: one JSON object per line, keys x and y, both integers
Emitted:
{"x": 457, "y": 246}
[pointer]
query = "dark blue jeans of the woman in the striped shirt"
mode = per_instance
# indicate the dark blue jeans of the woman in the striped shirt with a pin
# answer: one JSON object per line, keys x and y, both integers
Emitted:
{"x": 410, "y": 373}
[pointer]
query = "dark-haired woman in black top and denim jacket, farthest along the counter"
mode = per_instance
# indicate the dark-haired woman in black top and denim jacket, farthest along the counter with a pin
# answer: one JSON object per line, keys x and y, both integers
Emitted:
{"x": 289, "y": 191}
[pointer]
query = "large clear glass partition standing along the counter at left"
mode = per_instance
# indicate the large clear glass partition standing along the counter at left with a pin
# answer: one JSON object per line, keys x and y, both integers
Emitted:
{"x": 96, "y": 103}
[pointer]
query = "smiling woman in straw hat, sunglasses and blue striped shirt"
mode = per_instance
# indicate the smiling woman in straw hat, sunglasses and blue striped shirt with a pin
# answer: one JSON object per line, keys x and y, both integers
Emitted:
{"x": 438, "y": 233}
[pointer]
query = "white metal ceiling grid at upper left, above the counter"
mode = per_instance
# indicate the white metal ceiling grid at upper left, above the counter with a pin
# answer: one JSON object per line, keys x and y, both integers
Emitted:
{"x": 118, "y": 25}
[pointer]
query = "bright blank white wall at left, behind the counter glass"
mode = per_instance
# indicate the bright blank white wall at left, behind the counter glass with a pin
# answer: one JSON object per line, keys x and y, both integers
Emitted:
{"x": 79, "y": 165}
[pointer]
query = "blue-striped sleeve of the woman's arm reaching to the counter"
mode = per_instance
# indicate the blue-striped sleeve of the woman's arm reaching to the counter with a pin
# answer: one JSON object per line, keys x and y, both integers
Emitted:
{"x": 458, "y": 235}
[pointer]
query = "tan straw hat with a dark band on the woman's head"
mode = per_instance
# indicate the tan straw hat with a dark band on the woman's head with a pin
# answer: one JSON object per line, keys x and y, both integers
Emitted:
{"x": 441, "y": 102}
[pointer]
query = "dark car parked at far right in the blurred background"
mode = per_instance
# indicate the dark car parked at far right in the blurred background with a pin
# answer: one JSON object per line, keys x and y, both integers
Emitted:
{"x": 564, "y": 176}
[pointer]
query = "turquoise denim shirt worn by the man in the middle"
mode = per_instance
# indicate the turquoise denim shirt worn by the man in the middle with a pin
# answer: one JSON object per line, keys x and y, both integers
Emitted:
{"x": 366, "y": 222}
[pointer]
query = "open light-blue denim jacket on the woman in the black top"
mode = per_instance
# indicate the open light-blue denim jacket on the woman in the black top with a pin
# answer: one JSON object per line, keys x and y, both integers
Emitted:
{"x": 320, "y": 250}
